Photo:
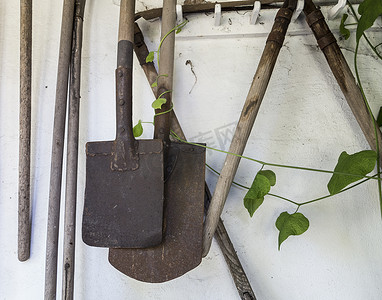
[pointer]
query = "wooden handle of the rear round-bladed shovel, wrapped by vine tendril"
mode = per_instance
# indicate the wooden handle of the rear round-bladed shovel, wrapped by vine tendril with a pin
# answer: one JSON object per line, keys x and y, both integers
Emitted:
{"x": 166, "y": 67}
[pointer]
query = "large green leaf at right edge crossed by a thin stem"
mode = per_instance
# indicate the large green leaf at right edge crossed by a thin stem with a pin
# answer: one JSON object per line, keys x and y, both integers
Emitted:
{"x": 360, "y": 163}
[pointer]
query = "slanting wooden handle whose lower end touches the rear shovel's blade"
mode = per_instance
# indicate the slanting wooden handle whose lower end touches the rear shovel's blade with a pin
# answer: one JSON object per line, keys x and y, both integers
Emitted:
{"x": 247, "y": 119}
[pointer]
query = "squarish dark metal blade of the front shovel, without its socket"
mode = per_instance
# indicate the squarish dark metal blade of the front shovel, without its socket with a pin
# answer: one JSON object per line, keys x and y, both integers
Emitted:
{"x": 123, "y": 208}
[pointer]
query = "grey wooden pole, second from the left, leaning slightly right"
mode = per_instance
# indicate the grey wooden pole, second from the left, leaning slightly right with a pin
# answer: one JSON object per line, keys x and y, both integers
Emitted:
{"x": 57, "y": 149}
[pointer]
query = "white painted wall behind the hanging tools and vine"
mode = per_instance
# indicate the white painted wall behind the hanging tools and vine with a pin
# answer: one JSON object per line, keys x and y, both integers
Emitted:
{"x": 304, "y": 120}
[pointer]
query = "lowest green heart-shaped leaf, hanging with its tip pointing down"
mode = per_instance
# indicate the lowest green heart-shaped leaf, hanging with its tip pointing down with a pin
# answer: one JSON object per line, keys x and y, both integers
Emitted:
{"x": 294, "y": 224}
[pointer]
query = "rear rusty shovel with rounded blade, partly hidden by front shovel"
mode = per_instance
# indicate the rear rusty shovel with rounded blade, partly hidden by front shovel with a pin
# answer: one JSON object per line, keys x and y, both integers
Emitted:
{"x": 181, "y": 249}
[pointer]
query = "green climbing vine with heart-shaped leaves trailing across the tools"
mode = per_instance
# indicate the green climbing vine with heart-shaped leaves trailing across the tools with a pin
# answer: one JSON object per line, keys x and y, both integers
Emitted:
{"x": 350, "y": 171}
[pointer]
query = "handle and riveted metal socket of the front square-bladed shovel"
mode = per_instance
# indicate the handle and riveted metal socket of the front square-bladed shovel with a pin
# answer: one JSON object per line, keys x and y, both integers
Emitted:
{"x": 125, "y": 153}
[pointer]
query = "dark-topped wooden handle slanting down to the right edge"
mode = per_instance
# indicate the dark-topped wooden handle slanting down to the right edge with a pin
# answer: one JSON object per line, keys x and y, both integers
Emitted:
{"x": 341, "y": 71}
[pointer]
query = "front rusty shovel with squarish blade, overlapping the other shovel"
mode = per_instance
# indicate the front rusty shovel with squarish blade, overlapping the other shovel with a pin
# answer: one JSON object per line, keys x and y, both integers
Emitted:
{"x": 124, "y": 178}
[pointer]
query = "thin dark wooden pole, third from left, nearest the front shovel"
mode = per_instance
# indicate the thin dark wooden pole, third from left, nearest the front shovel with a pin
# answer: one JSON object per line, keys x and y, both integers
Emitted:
{"x": 72, "y": 155}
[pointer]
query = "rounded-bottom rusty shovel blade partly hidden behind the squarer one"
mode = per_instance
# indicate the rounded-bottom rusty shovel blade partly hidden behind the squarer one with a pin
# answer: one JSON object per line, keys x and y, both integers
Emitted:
{"x": 181, "y": 249}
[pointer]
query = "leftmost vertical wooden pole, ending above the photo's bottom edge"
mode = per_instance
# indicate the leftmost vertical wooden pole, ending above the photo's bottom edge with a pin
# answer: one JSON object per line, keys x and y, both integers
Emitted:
{"x": 24, "y": 218}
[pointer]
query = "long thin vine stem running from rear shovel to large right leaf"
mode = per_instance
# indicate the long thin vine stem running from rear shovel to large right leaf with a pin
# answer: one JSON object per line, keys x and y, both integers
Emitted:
{"x": 267, "y": 163}
